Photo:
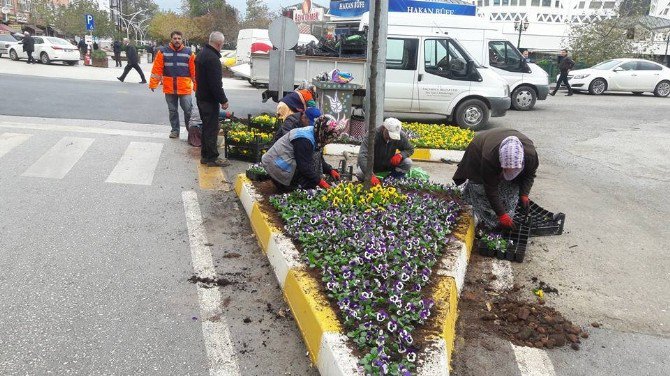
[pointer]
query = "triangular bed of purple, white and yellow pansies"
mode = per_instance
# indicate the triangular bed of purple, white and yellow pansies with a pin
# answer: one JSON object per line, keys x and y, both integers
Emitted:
{"x": 375, "y": 252}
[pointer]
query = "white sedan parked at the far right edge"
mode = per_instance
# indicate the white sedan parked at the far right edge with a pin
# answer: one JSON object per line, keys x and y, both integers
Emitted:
{"x": 627, "y": 75}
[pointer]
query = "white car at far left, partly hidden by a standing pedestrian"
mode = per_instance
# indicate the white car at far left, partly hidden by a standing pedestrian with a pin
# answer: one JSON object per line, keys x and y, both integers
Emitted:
{"x": 48, "y": 49}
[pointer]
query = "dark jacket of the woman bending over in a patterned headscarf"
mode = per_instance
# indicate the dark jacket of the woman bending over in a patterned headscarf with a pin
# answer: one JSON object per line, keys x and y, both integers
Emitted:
{"x": 481, "y": 164}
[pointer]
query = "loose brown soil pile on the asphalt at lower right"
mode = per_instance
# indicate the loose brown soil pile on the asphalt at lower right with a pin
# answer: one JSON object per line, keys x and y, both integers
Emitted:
{"x": 532, "y": 324}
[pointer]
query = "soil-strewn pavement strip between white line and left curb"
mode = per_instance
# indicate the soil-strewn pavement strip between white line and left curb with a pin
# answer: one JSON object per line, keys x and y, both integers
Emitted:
{"x": 265, "y": 336}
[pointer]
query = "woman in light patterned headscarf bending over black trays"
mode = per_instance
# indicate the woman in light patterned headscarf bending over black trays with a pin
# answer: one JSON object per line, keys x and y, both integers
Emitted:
{"x": 498, "y": 168}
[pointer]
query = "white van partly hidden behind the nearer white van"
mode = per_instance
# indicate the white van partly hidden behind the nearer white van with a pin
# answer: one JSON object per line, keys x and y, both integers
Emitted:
{"x": 487, "y": 45}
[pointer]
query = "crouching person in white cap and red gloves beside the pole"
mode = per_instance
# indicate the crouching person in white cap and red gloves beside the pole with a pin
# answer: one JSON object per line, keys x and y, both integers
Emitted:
{"x": 389, "y": 138}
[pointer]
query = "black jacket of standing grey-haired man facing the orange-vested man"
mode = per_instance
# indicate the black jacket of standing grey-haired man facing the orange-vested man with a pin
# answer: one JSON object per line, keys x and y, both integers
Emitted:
{"x": 208, "y": 75}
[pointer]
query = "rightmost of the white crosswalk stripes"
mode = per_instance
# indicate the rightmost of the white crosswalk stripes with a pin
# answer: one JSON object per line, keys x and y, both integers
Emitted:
{"x": 137, "y": 165}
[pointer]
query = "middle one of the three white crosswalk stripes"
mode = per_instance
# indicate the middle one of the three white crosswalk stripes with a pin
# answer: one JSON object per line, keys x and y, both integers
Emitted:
{"x": 60, "y": 159}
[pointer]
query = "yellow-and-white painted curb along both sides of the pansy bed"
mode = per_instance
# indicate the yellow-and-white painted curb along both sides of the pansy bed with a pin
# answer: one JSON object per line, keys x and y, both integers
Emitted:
{"x": 322, "y": 333}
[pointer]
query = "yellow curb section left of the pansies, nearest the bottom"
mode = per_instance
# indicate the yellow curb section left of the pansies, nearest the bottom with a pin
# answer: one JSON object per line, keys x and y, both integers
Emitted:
{"x": 310, "y": 309}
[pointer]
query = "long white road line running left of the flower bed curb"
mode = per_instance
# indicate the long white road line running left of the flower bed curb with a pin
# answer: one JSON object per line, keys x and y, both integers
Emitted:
{"x": 220, "y": 351}
